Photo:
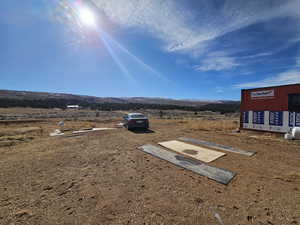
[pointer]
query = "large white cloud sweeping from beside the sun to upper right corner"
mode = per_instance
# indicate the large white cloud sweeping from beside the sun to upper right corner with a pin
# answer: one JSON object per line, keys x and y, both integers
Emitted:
{"x": 184, "y": 30}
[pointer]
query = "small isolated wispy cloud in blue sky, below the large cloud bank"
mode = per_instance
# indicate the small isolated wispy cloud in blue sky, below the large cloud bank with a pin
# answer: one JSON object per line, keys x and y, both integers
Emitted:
{"x": 217, "y": 63}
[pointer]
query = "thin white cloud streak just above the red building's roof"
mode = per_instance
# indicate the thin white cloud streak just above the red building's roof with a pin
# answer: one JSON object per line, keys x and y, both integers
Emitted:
{"x": 288, "y": 77}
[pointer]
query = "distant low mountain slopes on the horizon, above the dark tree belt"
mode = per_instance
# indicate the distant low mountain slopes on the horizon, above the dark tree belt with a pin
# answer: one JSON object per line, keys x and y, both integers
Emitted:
{"x": 29, "y": 95}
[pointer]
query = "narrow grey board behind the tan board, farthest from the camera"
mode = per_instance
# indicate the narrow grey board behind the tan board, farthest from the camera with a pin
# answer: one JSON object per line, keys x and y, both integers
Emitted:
{"x": 217, "y": 146}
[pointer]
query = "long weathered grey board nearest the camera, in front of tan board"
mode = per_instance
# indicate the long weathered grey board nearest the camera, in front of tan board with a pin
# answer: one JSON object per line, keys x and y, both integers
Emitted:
{"x": 220, "y": 175}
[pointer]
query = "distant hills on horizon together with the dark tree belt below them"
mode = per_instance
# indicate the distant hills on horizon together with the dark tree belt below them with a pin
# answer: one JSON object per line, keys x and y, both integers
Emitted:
{"x": 10, "y": 98}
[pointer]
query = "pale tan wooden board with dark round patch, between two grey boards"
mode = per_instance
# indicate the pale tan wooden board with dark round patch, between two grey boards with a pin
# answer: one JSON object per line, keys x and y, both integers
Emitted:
{"x": 197, "y": 152}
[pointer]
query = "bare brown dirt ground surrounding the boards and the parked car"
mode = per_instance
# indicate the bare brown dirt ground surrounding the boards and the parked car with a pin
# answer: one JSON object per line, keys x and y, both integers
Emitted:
{"x": 102, "y": 178}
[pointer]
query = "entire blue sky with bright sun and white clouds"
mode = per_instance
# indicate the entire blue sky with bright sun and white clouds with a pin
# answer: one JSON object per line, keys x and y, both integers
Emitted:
{"x": 154, "y": 48}
